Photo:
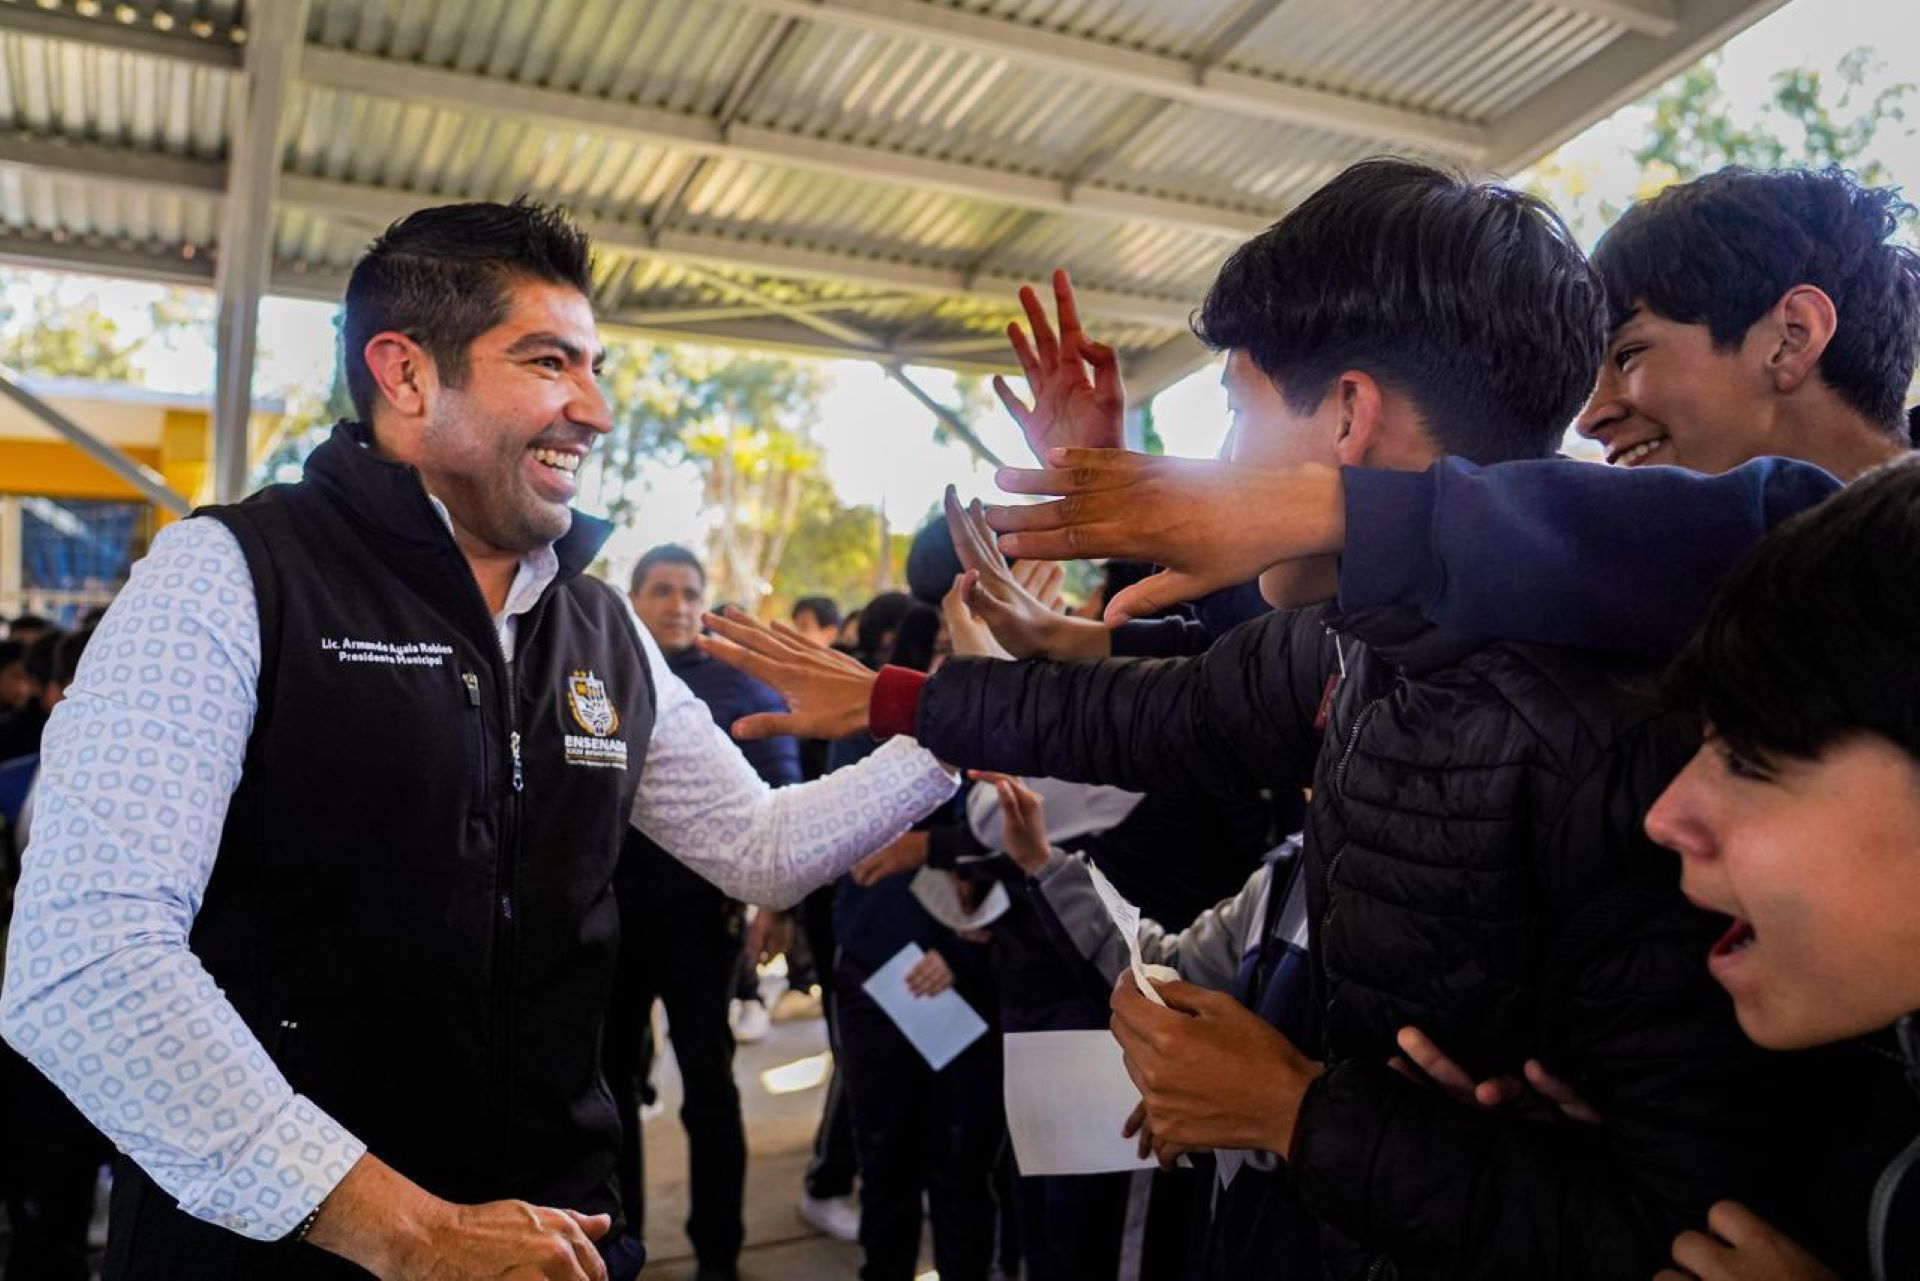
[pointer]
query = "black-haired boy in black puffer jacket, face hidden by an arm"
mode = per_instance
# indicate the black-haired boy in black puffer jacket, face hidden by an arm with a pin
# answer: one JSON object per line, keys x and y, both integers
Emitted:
{"x": 1472, "y": 854}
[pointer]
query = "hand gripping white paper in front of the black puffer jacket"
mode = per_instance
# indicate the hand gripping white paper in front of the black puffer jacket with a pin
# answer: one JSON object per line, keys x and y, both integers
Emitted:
{"x": 1211, "y": 1073}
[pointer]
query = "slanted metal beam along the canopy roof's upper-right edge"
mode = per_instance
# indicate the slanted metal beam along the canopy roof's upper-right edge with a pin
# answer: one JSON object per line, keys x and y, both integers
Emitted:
{"x": 1621, "y": 74}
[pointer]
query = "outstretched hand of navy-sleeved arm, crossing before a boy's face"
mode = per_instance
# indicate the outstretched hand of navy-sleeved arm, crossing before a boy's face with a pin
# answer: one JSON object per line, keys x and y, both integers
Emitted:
{"x": 1212, "y": 525}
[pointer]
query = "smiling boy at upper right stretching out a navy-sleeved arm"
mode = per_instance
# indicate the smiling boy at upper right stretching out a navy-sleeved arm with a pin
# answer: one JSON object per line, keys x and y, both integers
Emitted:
{"x": 1754, "y": 314}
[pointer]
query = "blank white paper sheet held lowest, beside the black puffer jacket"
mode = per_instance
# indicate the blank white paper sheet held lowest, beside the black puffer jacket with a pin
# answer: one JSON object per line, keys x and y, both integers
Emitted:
{"x": 1067, "y": 1098}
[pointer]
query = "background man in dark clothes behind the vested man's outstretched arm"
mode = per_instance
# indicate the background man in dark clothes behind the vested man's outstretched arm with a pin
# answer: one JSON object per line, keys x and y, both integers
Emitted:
{"x": 681, "y": 942}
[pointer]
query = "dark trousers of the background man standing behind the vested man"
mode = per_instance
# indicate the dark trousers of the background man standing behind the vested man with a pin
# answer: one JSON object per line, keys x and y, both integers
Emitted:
{"x": 683, "y": 950}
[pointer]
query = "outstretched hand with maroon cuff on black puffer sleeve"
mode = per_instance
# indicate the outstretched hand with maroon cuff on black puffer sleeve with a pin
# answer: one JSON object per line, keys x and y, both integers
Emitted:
{"x": 827, "y": 690}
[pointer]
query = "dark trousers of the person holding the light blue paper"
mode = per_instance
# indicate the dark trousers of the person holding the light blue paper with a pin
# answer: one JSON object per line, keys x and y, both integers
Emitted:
{"x": 921, "y": 1132}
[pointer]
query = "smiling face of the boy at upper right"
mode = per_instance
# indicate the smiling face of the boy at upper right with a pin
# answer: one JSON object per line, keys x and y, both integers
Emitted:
{"x": 1669, "y": 399}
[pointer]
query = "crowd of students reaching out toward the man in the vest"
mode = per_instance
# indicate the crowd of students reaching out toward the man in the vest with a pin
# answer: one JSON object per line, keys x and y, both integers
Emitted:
{"x": 1537, "y": 844}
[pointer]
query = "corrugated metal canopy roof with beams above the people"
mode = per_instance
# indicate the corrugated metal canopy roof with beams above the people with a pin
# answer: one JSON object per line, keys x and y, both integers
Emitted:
{"x": 838, "y": 178}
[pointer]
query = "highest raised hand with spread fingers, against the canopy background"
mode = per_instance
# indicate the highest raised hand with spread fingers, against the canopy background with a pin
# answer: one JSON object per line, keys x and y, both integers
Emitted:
{"x": 1078, "y": 399}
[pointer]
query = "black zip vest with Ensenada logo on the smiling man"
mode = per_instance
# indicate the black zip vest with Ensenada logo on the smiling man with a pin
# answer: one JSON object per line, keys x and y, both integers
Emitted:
{"x": 412, "y": 904}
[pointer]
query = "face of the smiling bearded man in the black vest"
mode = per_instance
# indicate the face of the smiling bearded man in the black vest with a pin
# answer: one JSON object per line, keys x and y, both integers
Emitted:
{"x": 504, "y": 448}
